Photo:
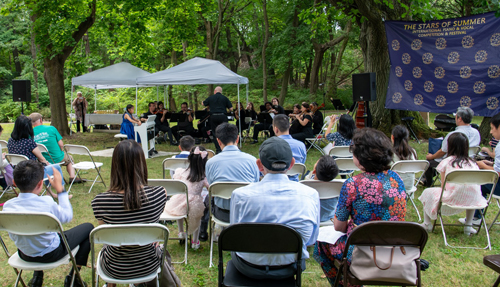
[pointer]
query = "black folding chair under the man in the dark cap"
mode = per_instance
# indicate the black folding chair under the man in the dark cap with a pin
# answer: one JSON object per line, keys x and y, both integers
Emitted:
{"x": 258, "y": 238}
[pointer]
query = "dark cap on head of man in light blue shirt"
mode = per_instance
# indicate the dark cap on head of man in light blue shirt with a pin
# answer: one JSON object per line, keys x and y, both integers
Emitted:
{"x": 275, "y": 154}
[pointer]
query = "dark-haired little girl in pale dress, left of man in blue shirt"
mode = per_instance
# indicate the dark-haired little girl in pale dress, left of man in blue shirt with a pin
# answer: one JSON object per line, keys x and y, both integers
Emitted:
{"x": 195, "y": 179}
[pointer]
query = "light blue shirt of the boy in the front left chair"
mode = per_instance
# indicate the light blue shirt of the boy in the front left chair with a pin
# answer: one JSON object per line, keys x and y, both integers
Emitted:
{"x": 39, "y": 245}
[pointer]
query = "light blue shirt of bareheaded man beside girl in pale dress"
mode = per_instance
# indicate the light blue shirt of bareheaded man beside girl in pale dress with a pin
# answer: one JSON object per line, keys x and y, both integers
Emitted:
{"x": 231, "y": 165}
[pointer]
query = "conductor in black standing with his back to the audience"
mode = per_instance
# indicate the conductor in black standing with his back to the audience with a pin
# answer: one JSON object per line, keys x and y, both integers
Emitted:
{"x": 218, "y": 104}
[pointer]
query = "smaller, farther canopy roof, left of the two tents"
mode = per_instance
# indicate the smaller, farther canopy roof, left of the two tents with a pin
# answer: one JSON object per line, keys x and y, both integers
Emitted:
{"x": 121, "y": 75}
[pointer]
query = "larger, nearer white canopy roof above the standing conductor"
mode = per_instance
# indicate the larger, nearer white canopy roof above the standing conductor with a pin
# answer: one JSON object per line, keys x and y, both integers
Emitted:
{"x": 197, "y": 71}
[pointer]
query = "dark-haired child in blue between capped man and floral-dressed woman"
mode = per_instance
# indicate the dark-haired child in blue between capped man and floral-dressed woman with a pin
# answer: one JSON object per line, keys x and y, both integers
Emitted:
{"x": 326, "y": 169}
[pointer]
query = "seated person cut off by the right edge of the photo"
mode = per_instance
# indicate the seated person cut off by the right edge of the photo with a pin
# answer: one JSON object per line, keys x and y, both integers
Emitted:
{"x": 488, "y": 165}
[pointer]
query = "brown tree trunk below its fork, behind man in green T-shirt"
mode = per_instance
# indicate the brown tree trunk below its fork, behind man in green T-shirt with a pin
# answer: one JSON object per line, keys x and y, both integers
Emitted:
{"x": 54, "y": 76}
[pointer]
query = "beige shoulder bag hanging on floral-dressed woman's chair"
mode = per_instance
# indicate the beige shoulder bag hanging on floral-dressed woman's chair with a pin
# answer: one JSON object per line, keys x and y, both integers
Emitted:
{"x": 384, "y": 263}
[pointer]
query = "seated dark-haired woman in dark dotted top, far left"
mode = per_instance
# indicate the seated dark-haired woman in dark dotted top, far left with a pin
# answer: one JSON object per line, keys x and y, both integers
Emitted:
{"x": 21, "y": 142}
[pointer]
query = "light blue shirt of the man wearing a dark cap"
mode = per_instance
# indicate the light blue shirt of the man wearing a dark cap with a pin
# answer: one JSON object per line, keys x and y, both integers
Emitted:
{"x": 276, "y": 199}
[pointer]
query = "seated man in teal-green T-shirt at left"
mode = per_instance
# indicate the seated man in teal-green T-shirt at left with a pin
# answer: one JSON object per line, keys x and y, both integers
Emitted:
{"x": 52, "y": 140}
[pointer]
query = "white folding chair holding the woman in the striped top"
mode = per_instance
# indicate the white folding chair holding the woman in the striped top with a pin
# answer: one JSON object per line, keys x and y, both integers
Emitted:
{"x": 123, "y": 235}
